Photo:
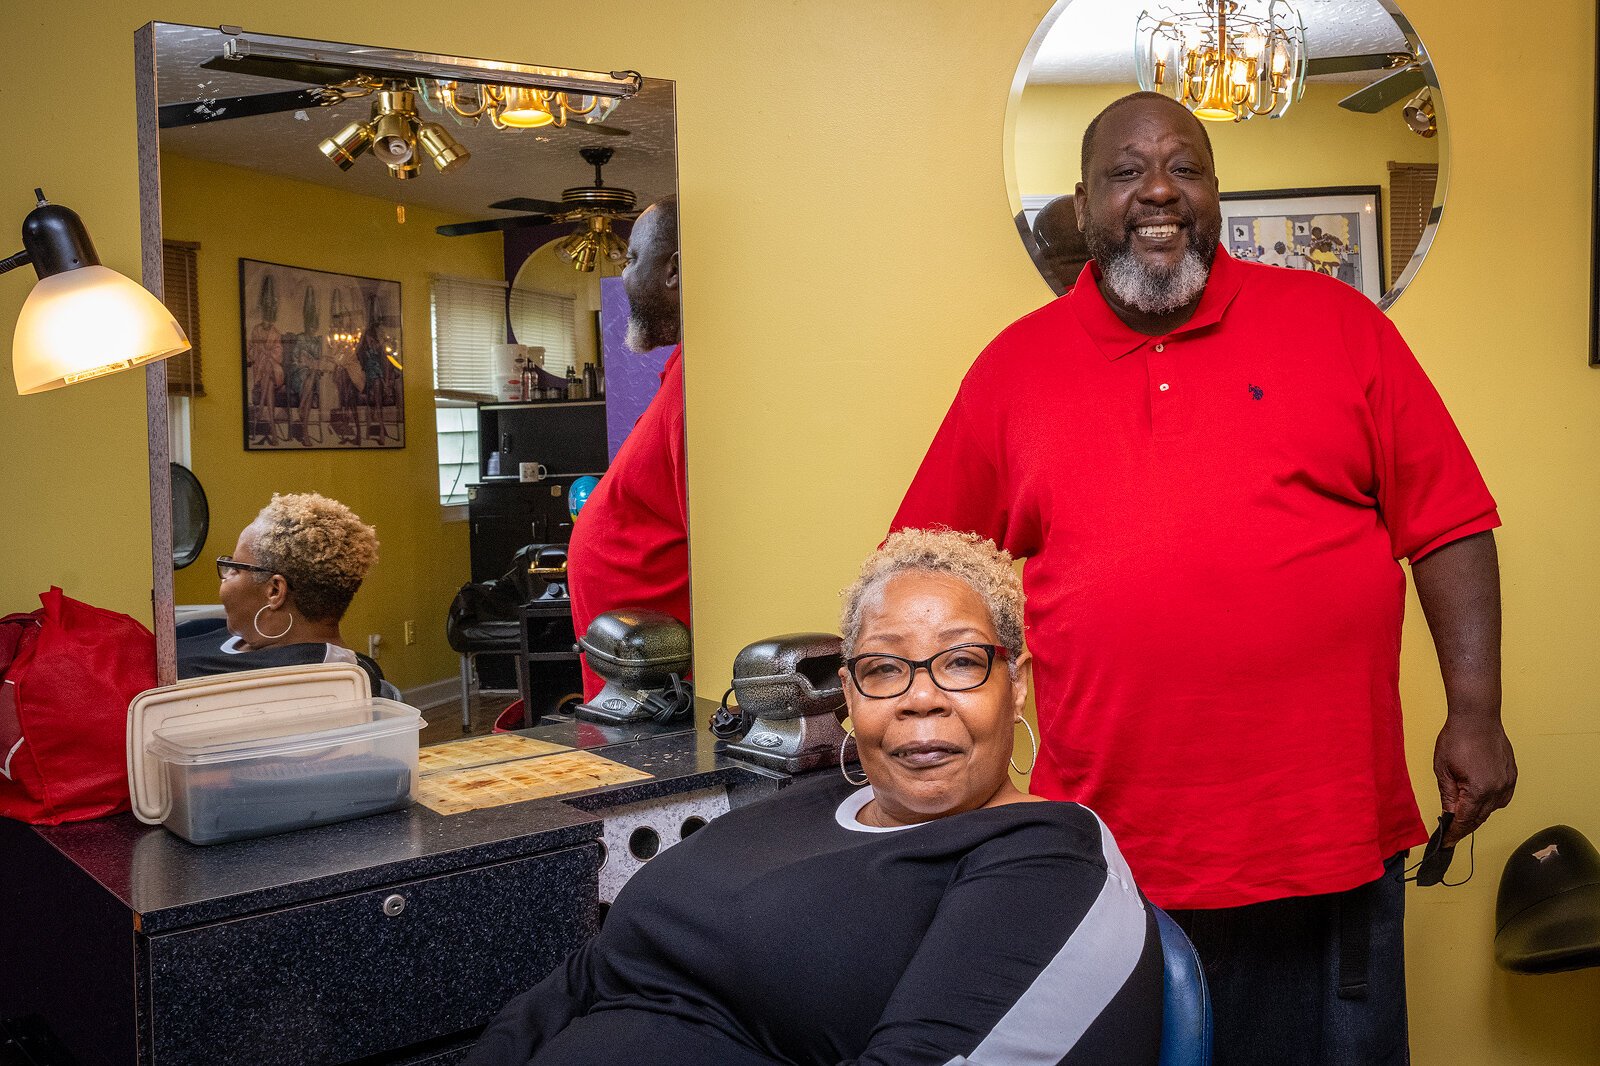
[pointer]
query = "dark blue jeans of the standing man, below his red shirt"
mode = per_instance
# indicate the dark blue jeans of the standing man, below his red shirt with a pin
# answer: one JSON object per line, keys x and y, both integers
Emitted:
{"x": 1276, "y": 974}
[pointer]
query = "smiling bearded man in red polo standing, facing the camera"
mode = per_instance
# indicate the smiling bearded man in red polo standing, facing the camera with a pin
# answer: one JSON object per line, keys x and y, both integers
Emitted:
{"x": 1214, "y": 470}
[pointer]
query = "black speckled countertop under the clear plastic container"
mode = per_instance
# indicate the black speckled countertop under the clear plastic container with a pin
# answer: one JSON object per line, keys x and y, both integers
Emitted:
{"x": 172, "y": 884}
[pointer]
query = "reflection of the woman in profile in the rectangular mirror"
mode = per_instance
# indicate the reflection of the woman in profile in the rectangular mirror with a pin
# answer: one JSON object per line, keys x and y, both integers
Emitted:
{"x": 286, "y": 590}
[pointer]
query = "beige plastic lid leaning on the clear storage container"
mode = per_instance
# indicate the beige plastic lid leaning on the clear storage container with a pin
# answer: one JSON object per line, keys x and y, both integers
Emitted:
{"x": 218, "y": 700}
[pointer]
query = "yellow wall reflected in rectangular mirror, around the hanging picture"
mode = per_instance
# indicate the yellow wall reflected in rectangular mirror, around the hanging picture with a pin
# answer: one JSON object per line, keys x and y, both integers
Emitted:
{"x": 241, "y": 214}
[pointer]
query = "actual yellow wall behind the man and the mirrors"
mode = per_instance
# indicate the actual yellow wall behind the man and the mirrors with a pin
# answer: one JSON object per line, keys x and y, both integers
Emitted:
{"x": 847, "y": 250}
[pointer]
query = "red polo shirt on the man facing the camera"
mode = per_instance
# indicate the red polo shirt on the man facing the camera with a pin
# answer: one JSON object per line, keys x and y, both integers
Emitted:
{"x": 1212, "y": 523}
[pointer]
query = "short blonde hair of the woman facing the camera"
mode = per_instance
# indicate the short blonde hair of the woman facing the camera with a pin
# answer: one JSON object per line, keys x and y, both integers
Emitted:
{"x": 967, "y": 558}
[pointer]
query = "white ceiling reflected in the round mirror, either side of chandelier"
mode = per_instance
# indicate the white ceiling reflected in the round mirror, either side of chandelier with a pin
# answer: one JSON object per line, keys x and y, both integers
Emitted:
{"x": 1092, "y": 42}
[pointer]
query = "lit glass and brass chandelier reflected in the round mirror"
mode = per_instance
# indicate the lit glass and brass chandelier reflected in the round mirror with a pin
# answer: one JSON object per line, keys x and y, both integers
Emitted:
{"x": 1223, "y": 63}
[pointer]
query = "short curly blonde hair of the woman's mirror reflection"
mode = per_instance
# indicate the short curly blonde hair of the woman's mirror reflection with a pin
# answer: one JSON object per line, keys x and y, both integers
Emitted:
{"x": 321, "y": 548}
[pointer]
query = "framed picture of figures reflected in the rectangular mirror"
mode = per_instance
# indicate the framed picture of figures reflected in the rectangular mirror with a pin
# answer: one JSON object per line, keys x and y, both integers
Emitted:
{"x": 324, "y": 359}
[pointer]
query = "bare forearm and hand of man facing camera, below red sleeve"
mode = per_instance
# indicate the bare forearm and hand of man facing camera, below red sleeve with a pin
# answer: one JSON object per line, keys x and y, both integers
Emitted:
{"x": 1473, "y": 759}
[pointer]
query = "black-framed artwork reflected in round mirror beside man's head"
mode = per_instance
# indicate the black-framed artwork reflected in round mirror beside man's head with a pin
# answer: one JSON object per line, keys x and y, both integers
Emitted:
{"x": 1334, "y": 231}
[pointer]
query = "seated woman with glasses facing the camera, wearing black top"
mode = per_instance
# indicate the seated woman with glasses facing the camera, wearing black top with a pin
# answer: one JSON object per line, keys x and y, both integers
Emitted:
{"x": 935, "y": 916}
